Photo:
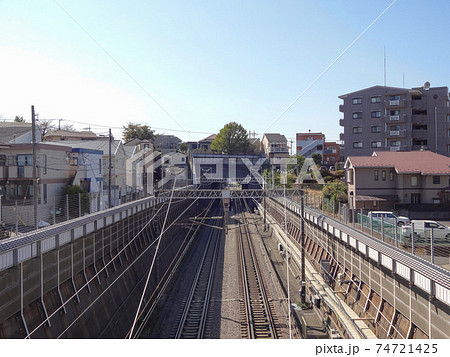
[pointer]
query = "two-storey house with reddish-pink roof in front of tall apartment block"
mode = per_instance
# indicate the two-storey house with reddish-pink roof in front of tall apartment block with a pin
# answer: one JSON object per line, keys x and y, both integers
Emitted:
{"x": 388, "y": 180}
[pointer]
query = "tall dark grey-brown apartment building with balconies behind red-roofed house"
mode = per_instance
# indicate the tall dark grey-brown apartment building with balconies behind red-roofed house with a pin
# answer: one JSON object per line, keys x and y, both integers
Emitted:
{"x": 383, "y": 118}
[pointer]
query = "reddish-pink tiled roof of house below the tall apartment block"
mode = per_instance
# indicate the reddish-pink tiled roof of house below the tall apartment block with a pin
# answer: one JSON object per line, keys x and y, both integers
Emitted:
{"x": 424, "y": 162}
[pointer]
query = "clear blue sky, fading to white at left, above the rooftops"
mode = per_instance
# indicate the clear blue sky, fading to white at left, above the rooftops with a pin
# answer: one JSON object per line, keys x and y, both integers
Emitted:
{"x": 211, "y": 62}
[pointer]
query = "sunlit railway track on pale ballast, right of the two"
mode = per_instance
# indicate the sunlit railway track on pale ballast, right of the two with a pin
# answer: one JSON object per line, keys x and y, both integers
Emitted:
{"x": 258, "y": 320}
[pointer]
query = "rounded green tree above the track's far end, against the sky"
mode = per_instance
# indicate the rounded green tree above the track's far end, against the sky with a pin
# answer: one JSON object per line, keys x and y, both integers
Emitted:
{"x": 232, "y": 139}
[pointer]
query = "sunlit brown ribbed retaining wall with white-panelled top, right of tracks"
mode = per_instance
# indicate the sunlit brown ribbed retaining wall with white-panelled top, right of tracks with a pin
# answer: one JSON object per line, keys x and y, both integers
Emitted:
{"x": 398, "y": 295}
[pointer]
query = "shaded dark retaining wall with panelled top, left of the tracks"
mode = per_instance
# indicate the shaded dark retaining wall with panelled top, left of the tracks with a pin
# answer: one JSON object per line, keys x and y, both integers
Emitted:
{"x": 49, "y": 282}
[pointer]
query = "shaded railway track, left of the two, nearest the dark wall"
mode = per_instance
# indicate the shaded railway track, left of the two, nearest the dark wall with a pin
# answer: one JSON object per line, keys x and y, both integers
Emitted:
{"x": 192, "y": 321}
